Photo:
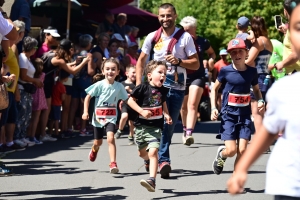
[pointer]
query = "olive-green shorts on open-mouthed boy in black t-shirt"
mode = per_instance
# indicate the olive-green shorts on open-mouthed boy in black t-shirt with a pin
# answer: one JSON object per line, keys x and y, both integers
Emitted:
{"x": 147, "y": 136}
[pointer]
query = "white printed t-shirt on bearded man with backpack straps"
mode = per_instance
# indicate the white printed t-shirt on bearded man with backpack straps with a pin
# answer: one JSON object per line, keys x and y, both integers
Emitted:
{"x": 184, "y": 48}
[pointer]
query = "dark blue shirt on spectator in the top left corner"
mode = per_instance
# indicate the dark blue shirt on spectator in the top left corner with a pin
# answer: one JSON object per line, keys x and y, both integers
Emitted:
{"x": 21, "y": 8}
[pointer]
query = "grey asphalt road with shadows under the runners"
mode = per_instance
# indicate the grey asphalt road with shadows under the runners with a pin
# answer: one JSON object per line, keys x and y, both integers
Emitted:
{"x": 62, "y": 170}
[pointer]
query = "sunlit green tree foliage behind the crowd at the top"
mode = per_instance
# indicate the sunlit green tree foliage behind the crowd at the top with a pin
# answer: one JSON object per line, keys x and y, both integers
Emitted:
{"x": 216, "y": 19}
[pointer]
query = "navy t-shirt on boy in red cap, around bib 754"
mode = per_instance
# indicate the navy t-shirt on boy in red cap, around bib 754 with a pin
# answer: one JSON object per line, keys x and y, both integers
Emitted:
{"x": 238, "y": 82}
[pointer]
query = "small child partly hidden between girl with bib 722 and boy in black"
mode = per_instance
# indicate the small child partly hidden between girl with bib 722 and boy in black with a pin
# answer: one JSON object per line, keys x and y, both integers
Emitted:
{"x": 127, "y": 112}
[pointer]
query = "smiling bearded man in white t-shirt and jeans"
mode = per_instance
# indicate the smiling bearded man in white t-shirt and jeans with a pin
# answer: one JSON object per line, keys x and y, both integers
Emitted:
{"x": 184, "y": 56}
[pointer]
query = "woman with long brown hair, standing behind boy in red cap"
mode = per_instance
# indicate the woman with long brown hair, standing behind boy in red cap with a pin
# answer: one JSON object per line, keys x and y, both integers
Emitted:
{"x": 259, "y": 56}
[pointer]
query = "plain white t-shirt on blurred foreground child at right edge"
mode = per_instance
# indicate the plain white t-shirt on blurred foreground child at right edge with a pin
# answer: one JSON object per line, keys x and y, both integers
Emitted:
{"x": 283, "y": 169}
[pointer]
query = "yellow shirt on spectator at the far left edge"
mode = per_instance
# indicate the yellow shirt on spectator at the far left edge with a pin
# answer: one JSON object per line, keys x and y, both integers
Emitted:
{"x": 13, "y": 68}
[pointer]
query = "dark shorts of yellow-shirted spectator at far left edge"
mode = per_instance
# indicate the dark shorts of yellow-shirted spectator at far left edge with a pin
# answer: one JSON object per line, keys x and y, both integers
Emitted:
{"x": 10, "y": 114}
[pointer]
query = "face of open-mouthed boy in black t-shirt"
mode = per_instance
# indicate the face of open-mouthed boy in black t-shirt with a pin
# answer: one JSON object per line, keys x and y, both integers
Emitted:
{"x": 158, "y": 76}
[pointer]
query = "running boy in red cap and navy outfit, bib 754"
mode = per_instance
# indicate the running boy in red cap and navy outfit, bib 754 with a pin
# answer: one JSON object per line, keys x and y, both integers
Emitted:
{"x": 235, "y": 127}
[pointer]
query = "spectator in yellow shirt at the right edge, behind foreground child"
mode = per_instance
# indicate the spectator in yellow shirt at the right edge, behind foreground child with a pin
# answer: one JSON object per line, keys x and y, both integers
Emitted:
{"x": 290, "y": 58}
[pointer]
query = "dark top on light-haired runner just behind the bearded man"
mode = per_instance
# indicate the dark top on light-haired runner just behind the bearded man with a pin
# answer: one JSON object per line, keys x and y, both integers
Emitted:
{"x": 203, "y": 45}
